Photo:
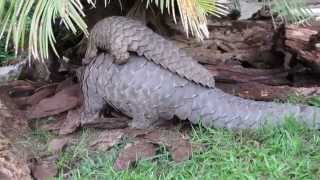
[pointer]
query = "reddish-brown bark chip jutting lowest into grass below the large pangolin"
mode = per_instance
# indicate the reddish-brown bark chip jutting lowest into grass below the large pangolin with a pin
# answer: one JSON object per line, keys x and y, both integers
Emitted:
{"x": 134, "y": 152}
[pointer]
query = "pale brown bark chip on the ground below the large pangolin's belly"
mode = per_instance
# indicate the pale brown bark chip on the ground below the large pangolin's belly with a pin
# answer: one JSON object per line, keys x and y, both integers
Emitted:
{"x": 107, "y": 139}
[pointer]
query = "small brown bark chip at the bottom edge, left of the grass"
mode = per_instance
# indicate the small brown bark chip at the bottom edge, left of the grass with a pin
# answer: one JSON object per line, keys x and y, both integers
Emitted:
{"x": 44, "y": 170}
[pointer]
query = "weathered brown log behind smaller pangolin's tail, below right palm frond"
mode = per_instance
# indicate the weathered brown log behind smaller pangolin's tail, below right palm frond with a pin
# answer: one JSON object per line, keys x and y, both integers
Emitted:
{"x": 245, "y": 41}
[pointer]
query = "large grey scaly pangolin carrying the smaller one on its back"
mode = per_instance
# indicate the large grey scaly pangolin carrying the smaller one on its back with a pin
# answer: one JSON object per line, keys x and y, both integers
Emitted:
{"x": 149, "y": 93}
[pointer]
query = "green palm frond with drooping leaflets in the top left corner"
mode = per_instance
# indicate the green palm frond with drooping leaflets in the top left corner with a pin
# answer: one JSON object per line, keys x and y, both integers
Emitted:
{"x": 43, "y": 13}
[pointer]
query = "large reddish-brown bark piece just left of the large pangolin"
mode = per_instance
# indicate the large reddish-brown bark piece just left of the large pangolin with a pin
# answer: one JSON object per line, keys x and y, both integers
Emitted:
{"x": 64, "y": 100}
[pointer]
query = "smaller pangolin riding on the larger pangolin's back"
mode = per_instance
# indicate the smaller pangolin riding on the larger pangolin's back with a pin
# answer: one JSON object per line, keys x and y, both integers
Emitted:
{"x": 121, "y": 35}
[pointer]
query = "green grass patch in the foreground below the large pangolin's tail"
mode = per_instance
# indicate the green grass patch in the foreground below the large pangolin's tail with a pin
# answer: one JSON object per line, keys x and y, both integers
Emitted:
{"x": 287, "y": 152}
